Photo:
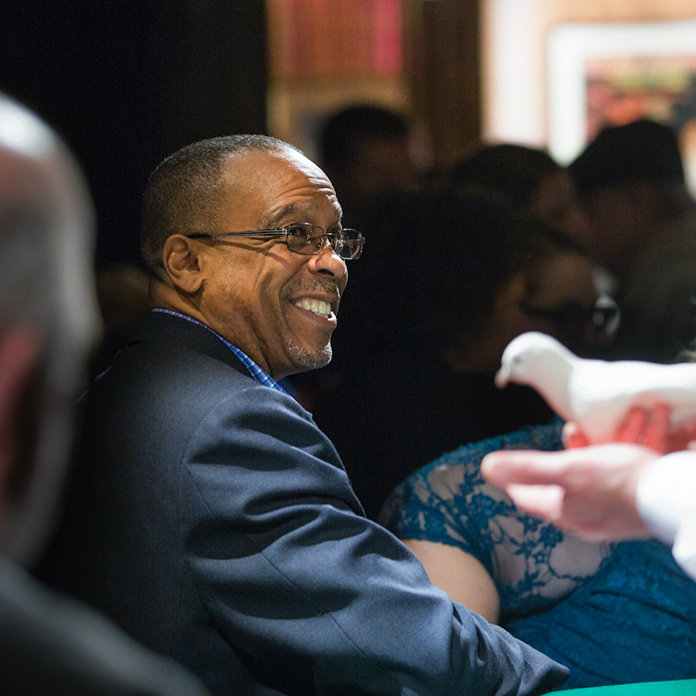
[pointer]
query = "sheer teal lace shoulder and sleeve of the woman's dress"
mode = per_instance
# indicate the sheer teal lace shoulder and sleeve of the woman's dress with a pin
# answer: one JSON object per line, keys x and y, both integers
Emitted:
{"x": 533, "y": 563}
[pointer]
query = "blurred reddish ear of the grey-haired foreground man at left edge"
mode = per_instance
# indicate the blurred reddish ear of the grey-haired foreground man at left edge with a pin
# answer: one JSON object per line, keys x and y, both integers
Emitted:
{"x": 20, "y": 353}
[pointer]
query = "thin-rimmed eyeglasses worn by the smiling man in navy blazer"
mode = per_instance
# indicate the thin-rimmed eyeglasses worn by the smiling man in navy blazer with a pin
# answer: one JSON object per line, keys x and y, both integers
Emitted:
{"x": 305, "y": 238}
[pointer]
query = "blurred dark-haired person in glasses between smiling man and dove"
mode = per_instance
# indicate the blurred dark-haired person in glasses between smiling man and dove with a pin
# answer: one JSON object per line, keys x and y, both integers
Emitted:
{"x": 463, "y": 276}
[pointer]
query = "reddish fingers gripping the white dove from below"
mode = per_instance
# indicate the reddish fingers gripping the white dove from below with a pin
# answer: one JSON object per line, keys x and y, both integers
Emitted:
{"x": 650, "y": 428}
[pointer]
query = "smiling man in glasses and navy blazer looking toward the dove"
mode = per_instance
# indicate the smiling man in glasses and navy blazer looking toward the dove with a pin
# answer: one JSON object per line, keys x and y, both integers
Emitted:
{"x": 208, "y": 515}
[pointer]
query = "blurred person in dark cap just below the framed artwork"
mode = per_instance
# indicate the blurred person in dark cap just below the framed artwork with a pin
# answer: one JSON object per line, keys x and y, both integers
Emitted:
{"x": 642, "y": 229}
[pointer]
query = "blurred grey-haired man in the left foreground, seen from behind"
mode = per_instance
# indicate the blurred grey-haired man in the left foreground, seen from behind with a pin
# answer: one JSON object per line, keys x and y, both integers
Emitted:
{"x": 48, "y": 324}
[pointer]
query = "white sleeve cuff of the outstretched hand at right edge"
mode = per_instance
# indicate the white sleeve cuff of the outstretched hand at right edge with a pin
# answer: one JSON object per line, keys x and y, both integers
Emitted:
{"x": 666, "y": 500}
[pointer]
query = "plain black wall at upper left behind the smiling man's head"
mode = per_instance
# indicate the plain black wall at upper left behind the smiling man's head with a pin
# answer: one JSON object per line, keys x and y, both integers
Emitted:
{"x": 127, "y": 83}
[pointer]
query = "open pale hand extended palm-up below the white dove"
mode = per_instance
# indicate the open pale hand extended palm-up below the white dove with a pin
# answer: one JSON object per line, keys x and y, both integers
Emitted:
{"x": 590, "y": 491}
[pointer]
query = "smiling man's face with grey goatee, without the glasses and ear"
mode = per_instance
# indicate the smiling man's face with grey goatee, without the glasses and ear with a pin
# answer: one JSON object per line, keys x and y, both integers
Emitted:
{"x": 278, "y": 306}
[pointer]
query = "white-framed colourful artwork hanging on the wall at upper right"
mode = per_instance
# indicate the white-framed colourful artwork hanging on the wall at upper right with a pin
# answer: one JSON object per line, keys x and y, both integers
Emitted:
{"x": 615, "y": 73}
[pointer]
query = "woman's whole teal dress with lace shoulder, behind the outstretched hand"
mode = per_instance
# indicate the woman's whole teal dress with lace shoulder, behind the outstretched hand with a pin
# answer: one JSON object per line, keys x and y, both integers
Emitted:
{"x": 612, "y": 613}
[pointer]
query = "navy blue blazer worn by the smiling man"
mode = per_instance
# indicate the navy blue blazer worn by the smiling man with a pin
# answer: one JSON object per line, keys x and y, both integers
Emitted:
{"x": 211, "y": 519}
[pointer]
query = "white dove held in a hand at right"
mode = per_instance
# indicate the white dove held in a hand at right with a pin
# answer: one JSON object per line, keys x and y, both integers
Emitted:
{"x": 597, "y": 394}
